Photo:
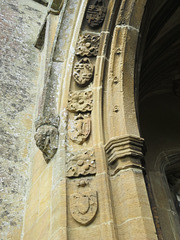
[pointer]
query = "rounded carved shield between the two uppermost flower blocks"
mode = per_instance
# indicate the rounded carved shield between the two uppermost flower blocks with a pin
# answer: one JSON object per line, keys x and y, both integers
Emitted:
{"x": 83, "y": 72}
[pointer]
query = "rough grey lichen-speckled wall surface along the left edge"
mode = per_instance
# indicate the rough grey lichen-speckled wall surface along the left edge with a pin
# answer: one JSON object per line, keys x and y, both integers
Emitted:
{"x": 20, "y": 22}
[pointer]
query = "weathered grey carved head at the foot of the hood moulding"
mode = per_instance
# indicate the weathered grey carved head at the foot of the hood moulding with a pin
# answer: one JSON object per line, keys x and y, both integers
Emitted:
{"x": 46, "y": 139}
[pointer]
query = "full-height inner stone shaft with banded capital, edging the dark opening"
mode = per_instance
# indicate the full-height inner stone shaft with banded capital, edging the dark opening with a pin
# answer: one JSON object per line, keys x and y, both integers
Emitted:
{"x": 124, "y": 147}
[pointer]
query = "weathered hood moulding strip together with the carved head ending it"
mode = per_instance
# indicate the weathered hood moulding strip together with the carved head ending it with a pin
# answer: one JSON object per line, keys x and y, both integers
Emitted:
{"x": 46, "y": 125}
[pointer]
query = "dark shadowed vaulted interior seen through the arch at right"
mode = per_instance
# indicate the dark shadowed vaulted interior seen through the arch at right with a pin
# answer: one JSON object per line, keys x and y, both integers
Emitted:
{"x": 158, "y": 101}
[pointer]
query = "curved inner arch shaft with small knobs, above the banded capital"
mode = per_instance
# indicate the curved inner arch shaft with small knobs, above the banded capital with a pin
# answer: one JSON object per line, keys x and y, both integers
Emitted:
{"x": 120, "y": 101}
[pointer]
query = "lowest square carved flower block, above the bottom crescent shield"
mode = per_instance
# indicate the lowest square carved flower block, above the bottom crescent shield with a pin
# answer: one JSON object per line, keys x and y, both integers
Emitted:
{"x": 81, "y": 164}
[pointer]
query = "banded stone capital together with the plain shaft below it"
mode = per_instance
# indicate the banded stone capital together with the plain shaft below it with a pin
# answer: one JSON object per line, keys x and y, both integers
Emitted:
{"x": 130, "y": 201}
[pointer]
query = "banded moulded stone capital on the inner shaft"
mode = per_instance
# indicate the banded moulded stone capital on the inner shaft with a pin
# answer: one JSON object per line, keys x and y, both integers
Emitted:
{"x": 124, "y": 152}
